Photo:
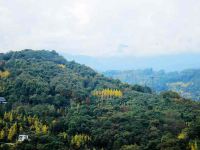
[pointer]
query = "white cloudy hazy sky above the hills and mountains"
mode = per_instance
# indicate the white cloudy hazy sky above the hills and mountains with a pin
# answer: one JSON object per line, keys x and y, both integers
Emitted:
{"x": 101, "y": 27}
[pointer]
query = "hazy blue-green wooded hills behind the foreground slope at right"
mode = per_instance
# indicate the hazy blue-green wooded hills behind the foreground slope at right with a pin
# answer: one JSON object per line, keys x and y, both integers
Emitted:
{"x": 186, "y": 83}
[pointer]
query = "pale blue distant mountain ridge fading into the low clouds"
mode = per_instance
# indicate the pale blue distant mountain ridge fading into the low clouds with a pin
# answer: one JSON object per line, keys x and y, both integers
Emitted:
{"x": 176, "y": 62}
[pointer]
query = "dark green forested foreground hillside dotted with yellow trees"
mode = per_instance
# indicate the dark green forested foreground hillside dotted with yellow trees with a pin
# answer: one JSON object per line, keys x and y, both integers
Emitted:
{"x": 51, "y": 100}
